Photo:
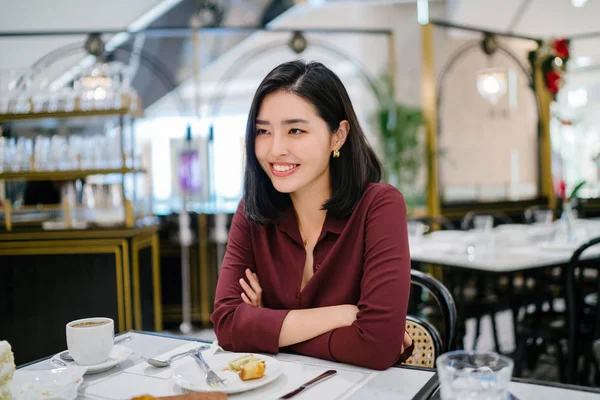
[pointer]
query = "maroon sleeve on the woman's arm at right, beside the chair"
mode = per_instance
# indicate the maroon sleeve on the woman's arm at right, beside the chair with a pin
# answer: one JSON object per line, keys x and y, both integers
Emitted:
{"x": 375, "y": 339}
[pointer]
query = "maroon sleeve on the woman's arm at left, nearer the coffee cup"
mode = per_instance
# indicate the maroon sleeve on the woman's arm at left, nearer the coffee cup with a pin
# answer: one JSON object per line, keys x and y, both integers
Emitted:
{"x": 240, "y": 326}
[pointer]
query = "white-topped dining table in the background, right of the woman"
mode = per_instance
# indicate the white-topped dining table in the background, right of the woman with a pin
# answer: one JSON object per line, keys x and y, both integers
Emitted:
{"x": 507, "y": 248}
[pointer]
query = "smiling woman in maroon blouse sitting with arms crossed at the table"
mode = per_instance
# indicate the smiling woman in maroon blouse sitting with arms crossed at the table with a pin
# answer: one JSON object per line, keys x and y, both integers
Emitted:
{"x": 317, "y": 260}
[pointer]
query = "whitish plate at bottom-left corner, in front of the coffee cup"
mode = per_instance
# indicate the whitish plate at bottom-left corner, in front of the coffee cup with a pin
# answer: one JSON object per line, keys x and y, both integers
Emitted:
{"x": 59, "y": 383}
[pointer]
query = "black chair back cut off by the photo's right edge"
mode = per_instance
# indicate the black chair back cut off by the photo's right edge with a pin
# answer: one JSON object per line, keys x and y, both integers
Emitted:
{"x": 578, "y": 288}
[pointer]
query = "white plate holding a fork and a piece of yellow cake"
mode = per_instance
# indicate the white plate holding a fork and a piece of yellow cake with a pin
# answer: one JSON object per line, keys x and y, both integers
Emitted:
{"x": 190, "y": 376}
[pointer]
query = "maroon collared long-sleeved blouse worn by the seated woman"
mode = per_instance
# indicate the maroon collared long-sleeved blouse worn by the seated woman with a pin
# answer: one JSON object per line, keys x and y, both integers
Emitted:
{"x": 363, "y": 260}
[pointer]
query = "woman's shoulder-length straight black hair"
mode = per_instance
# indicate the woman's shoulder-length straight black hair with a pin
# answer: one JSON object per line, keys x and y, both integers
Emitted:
{"x": 350, "y": 174}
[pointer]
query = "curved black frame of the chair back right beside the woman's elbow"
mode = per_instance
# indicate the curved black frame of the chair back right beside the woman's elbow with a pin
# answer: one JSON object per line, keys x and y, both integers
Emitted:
{"x": 445, "y": 302}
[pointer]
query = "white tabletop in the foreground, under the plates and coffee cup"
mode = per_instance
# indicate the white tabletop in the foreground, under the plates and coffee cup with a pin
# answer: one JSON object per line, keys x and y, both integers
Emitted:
{"x": 135, "y": 377}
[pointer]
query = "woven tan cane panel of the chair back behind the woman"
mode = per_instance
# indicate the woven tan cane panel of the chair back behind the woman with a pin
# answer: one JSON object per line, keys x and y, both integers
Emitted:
{"x": 426, "y": 340}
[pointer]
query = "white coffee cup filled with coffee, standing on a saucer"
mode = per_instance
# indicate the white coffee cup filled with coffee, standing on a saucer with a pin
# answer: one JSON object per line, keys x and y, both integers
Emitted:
{"x": 90, "y": 340}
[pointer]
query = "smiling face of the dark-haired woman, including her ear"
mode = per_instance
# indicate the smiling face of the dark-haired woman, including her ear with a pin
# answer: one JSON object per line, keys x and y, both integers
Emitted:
{"x": 294, "y": 144}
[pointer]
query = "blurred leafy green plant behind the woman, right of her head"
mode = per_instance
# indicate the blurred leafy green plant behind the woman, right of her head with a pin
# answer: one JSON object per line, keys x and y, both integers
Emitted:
{"x": 399, "y": 126}
